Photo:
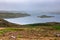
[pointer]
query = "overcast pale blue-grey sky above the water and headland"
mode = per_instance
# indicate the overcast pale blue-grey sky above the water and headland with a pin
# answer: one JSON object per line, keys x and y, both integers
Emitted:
{"x": 29, "y": 4}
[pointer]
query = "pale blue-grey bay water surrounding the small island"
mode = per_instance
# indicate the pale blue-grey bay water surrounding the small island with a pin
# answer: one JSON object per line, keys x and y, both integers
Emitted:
{"x": 34, "y": 19}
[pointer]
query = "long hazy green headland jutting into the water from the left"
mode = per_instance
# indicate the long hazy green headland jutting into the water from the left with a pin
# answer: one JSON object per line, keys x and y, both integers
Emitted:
{"x": 9, "y": 14}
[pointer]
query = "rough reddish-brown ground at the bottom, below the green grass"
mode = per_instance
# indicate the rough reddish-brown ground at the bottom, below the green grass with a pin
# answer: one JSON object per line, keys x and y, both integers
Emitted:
{"x": 32, "y": 34}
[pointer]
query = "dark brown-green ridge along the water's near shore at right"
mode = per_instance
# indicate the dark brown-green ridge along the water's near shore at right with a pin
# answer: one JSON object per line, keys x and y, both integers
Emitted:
{"x": 45, "y": 24}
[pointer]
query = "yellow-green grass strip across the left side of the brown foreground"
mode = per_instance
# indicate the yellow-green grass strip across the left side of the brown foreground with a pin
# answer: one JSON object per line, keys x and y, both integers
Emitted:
{"x": 9, "y": 29}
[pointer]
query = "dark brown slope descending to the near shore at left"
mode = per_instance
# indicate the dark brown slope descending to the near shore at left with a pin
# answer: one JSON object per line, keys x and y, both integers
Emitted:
{"x": 4, "y": 23}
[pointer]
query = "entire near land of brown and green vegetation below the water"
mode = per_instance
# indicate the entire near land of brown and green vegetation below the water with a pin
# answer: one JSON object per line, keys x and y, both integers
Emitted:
{"x": 38, "y": 31}
